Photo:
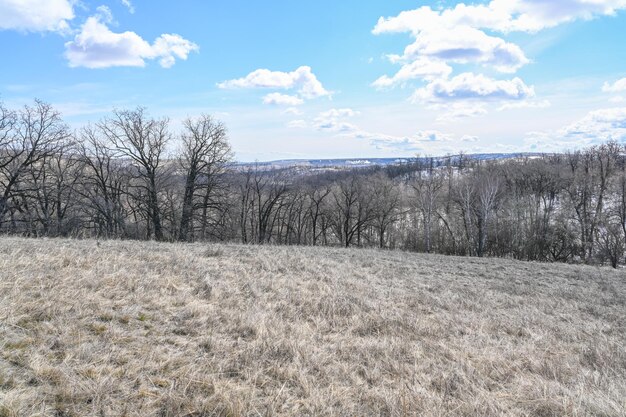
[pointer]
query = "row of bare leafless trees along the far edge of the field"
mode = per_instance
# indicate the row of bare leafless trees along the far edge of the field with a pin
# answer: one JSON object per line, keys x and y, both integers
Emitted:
{"x": 128, "y": 176}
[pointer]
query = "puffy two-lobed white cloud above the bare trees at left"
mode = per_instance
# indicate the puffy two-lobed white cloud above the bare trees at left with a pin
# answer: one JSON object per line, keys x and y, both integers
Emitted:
{"x": 96, "y": 46}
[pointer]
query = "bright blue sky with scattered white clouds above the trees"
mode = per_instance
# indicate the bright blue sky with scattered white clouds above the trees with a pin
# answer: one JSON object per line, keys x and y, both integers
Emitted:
{"x": 332, "y": 79}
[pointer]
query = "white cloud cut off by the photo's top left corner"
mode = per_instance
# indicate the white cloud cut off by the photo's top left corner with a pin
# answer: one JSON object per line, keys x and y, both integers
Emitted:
{"x": 36, "y": 15}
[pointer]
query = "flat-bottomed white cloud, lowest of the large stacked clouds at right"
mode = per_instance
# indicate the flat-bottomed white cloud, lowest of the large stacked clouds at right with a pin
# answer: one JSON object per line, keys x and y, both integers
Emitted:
{"x": 474, "y": 86}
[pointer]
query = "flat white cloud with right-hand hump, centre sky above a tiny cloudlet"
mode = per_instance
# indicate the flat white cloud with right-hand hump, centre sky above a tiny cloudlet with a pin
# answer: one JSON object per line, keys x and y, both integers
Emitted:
{"x": 302, "y": 80}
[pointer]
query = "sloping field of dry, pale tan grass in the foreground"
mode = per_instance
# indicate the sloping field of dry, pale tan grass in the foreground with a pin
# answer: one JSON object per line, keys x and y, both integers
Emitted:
{"x": 149, "y": 329}
